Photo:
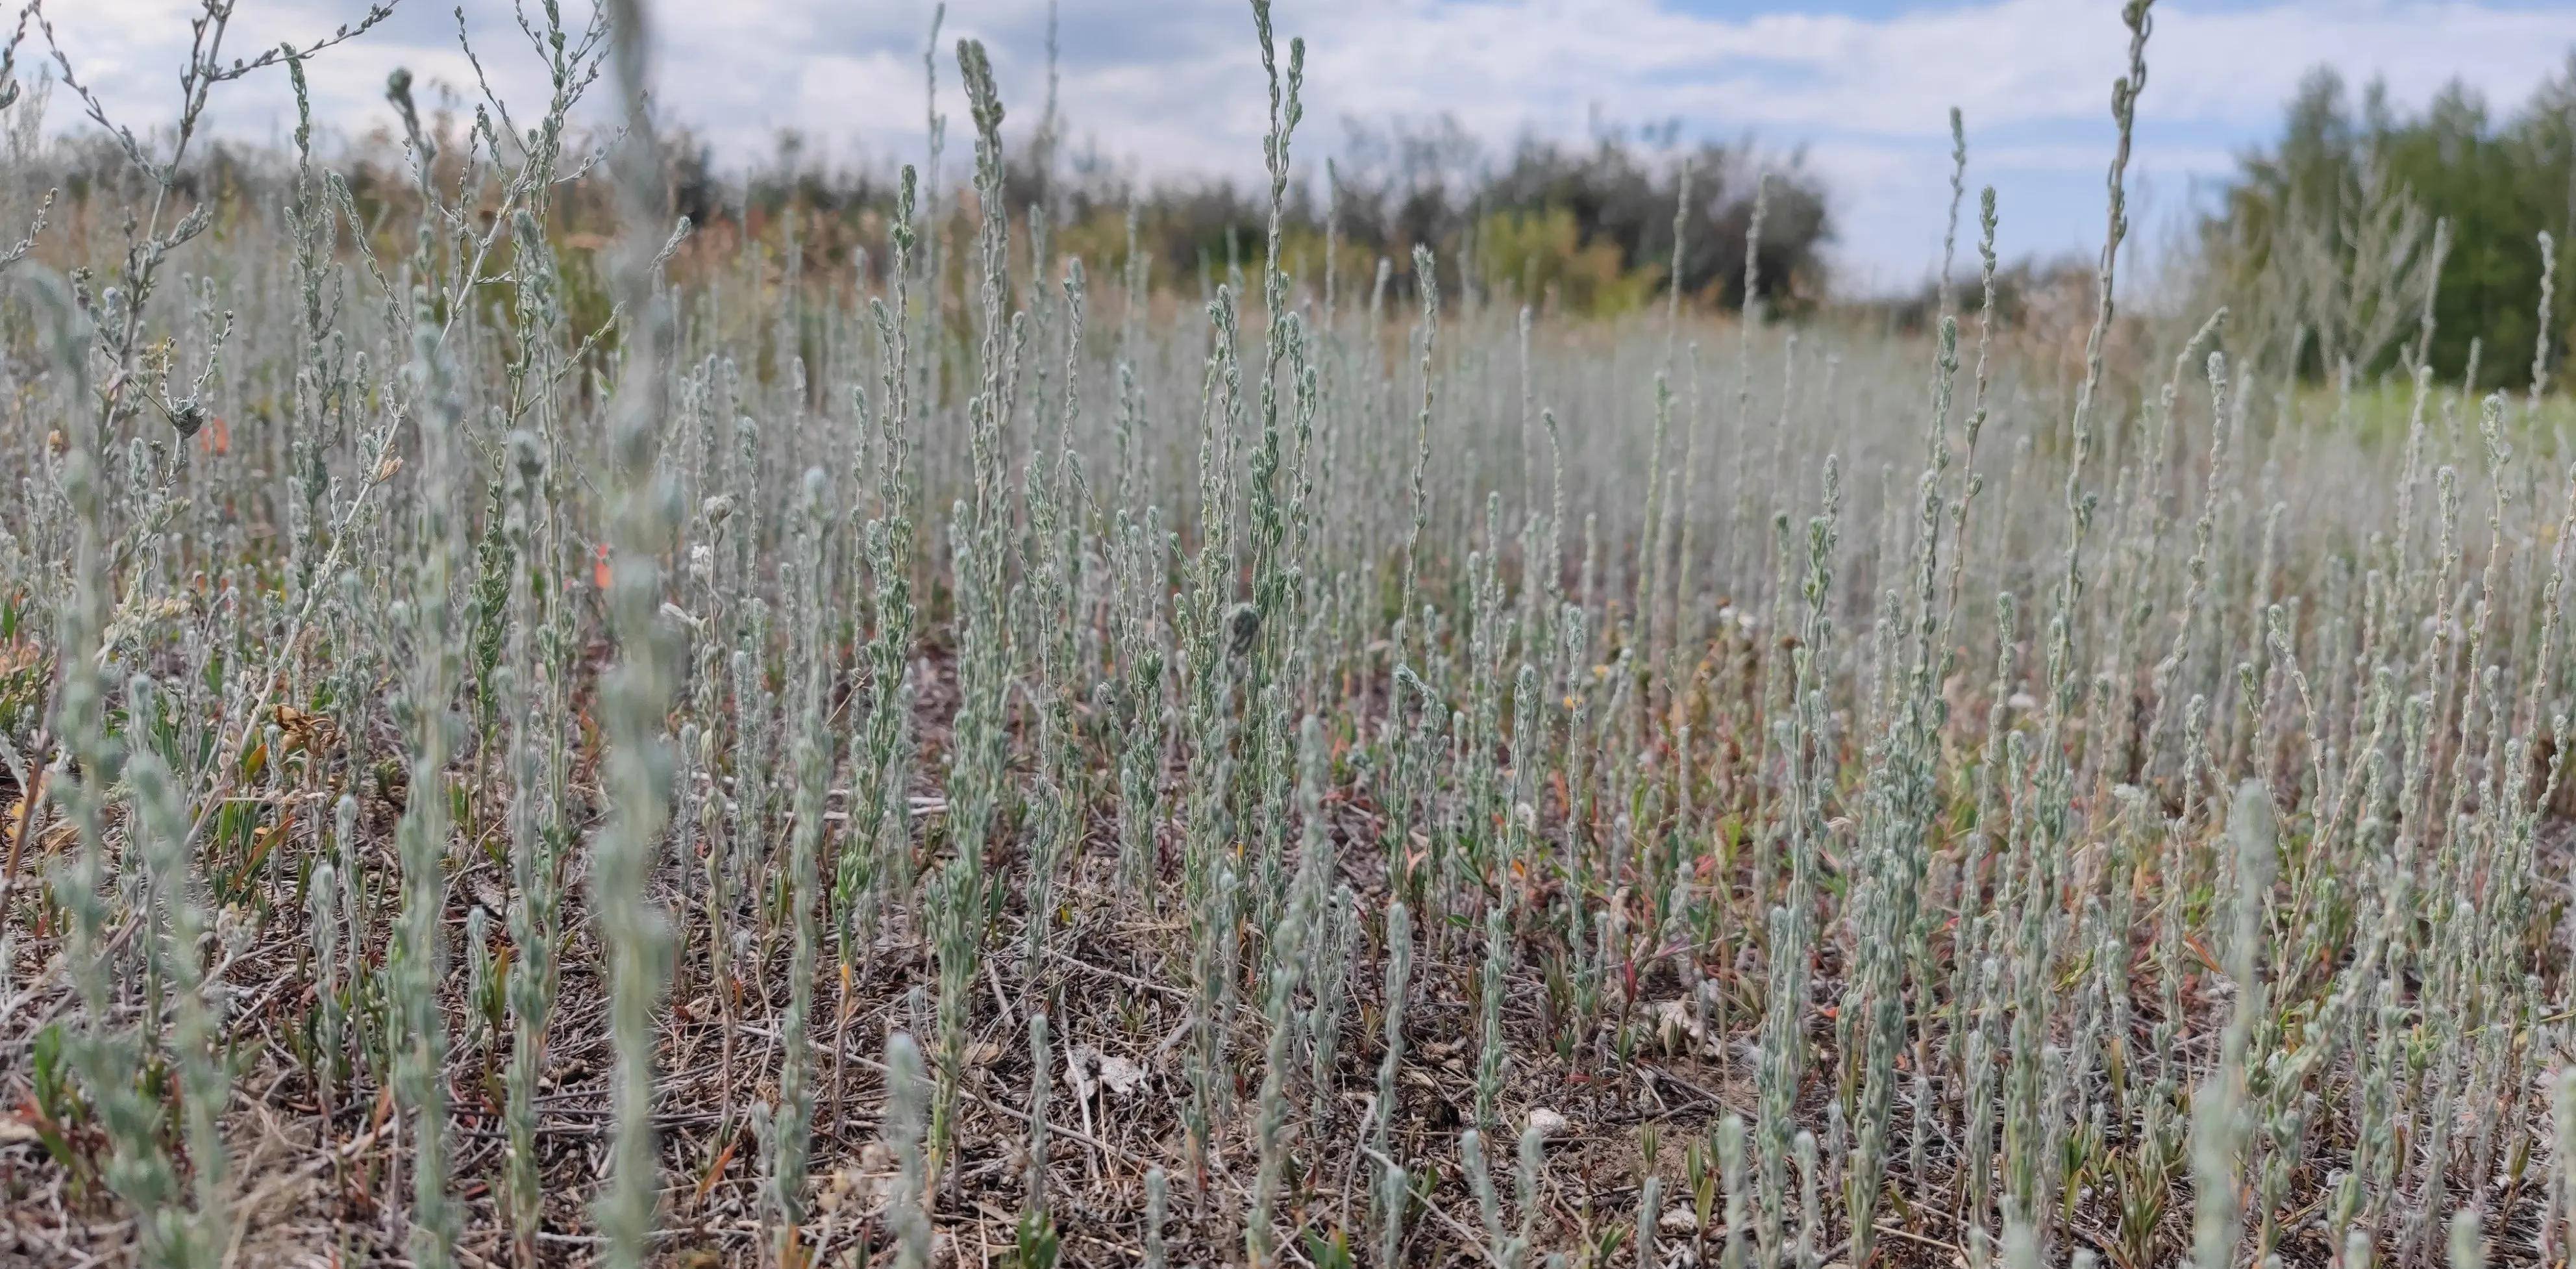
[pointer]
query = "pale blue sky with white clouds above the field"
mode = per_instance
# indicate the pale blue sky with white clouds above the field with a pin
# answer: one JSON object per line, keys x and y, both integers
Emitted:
{"x": 1173, "y": 86}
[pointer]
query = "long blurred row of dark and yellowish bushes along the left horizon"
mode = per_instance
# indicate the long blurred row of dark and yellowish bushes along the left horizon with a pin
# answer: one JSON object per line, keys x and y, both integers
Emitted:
{"x": 1580, "y": 228}
